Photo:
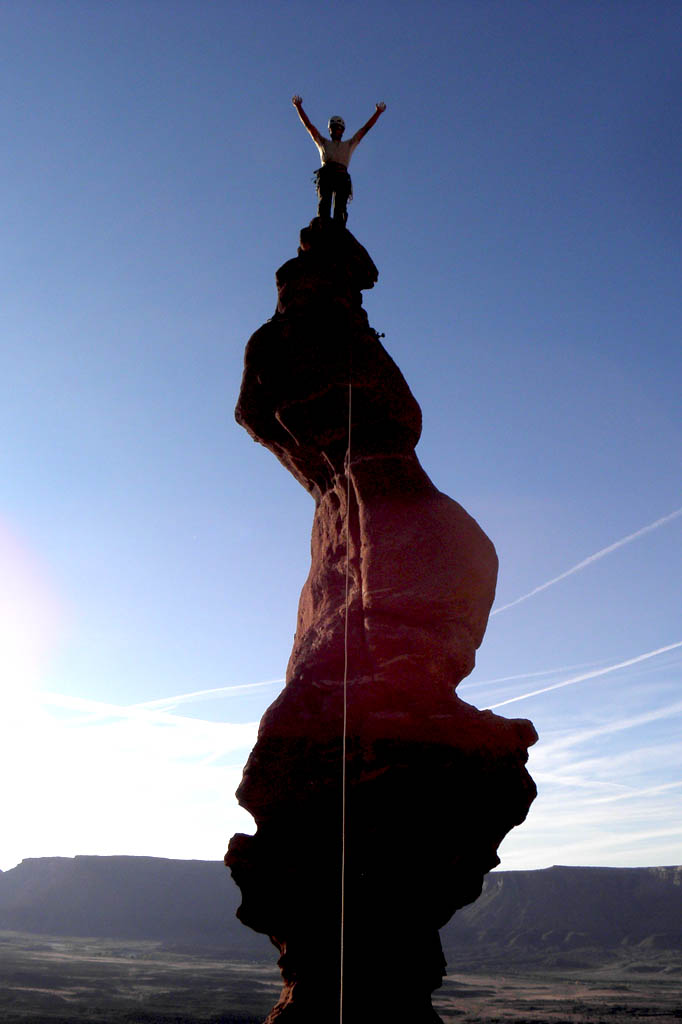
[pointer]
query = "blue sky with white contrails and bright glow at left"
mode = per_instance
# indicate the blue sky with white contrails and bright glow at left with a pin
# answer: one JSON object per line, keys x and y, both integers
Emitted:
{"x": 521, "y": 197}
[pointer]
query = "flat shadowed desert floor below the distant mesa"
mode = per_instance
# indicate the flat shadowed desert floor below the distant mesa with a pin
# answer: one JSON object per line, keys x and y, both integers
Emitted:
{"x": 56, "y": 980}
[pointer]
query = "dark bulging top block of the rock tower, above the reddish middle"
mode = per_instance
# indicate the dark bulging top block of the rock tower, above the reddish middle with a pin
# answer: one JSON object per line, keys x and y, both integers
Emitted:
{"x": 294, "y": 396}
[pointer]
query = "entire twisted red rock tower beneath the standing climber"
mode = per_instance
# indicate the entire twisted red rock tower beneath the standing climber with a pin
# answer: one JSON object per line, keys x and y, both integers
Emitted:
{"x": 396, "y": 605}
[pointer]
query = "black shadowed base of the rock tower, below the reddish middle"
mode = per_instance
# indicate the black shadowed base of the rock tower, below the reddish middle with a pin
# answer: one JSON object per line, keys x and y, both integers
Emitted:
{"x": 423, "y": 824}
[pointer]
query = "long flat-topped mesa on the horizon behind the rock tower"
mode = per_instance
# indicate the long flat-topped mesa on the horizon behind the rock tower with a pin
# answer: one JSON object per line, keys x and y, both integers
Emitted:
{"x": 521, "y": 916}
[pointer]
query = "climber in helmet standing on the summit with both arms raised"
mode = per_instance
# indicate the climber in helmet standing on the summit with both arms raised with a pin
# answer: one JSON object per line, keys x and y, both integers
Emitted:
{"x": 333, "y": 179}
